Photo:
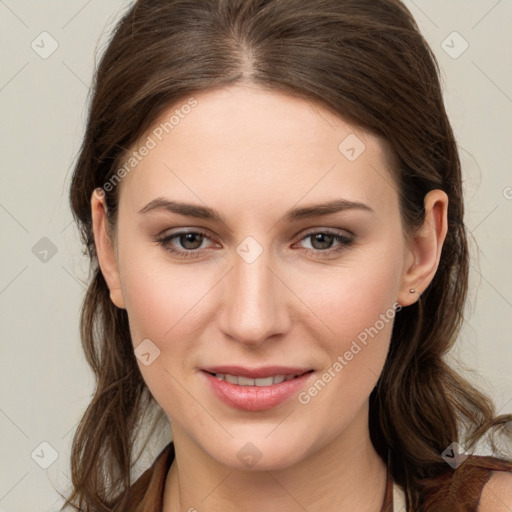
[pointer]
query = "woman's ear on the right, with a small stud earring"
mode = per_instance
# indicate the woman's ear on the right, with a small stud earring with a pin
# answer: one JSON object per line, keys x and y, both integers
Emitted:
{"x": 425, "y": 247}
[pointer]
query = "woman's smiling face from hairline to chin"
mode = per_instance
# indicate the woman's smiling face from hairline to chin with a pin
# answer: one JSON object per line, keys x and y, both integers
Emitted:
{"x": 268, "y": 285}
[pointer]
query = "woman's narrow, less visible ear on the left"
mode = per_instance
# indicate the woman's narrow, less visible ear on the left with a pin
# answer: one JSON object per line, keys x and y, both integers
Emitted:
{"x": 105, "y": 248}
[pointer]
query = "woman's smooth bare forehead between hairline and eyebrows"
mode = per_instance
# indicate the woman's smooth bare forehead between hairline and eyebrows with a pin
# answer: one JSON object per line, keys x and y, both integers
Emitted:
{"x": 245, "y": 145}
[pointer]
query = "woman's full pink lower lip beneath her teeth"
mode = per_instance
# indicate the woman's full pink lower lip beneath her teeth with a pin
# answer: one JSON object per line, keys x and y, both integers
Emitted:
{"x": 256, "y": 398}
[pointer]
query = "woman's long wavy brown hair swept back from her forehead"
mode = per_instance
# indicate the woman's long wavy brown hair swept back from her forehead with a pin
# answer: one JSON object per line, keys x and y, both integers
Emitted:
{"x": 364, "y": 60}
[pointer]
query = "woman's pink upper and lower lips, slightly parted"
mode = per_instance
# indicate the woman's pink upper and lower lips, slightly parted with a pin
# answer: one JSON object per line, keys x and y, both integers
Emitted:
{"x": 256, "y": 398}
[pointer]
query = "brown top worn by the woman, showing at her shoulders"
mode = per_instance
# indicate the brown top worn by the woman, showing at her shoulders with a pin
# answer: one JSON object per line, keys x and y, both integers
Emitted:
{"x": 463, "y": 485}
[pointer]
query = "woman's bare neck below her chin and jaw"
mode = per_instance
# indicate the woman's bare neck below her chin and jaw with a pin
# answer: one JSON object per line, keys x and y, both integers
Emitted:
{"x": 347, "y": 474}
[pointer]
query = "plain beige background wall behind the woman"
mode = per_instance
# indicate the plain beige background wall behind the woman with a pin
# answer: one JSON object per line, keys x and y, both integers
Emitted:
{"x": 45, "y": 384}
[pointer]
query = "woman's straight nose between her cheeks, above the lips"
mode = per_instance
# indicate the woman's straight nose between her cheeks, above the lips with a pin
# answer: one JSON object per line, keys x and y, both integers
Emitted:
{"x": 256, "y": 302}
